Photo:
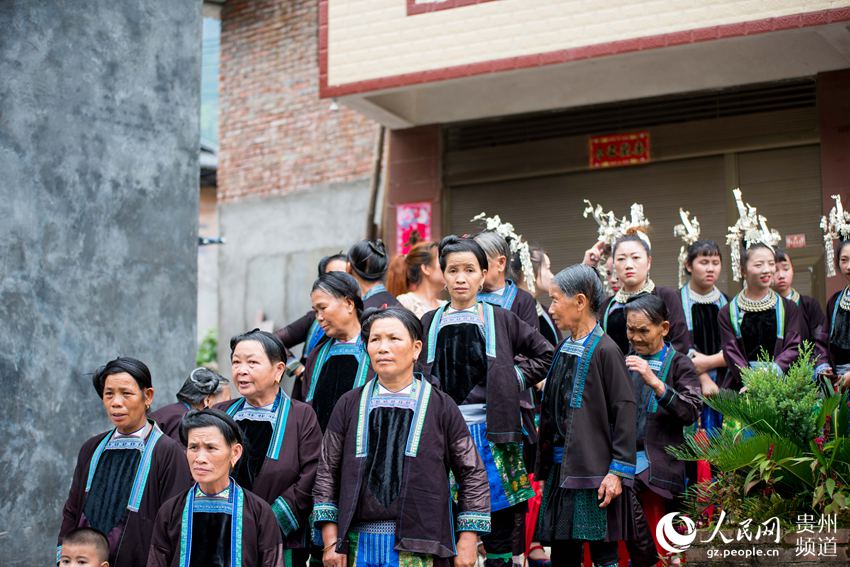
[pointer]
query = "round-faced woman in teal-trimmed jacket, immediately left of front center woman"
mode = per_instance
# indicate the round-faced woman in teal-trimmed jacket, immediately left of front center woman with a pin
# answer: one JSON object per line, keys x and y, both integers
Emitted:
{"x": 282, "y": 436}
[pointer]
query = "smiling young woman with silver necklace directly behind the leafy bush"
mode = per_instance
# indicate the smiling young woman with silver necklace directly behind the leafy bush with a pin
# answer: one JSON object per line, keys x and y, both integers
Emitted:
{"x": 758, "y": 320}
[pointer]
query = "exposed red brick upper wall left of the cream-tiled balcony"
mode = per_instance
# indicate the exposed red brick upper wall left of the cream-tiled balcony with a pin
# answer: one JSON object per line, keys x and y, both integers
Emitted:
{"x": 276, "y": 135}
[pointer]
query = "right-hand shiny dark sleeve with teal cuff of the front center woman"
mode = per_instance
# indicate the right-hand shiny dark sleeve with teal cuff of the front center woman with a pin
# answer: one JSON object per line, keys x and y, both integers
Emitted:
{"x": 473, "y": 499}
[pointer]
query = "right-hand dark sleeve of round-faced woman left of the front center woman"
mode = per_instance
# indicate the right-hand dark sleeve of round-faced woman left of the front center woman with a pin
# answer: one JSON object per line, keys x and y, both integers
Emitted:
{"x": 299, "y": 497}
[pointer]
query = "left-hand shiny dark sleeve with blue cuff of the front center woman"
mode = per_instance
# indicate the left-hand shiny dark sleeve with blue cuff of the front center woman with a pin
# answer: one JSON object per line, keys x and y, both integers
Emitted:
{"x": 326, "y": 488}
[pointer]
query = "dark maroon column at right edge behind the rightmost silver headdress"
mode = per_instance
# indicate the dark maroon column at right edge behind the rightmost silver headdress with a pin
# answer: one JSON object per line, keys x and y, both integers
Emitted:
{"x": 833, "y": 100}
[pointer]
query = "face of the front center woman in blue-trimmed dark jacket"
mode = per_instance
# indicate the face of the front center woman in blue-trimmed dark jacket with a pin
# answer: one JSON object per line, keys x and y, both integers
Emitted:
{"x": 392, "y": 350}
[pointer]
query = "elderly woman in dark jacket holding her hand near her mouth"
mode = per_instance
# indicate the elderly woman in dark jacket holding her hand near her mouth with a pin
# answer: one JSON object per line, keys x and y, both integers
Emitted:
{"x": 667, "y": 394}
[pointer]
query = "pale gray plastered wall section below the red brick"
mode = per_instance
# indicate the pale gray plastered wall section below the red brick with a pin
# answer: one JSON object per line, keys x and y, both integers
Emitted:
{"x": 273, "y": 245}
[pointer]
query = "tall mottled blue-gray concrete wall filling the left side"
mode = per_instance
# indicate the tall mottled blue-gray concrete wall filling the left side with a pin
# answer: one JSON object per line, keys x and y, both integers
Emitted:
{"x": 98, "y": 208}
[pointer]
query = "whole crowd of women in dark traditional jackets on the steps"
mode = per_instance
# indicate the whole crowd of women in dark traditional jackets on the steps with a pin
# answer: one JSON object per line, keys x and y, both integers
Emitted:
{"x": 435, "y": 399}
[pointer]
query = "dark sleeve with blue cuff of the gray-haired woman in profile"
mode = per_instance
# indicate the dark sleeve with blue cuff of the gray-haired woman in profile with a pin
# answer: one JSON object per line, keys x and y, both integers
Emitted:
{"x": 622, "y": 416}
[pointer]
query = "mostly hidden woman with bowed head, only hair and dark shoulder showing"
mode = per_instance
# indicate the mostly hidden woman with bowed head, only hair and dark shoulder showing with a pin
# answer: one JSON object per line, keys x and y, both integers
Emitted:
{"x": 203, "y": 388}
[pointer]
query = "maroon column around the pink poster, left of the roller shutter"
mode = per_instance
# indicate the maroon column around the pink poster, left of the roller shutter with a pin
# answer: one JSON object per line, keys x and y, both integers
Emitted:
{"x": 414, "y": 174}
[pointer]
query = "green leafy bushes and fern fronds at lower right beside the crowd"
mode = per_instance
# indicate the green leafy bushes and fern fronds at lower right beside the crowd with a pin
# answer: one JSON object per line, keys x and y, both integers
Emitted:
{"x": 784, "y": 449}
